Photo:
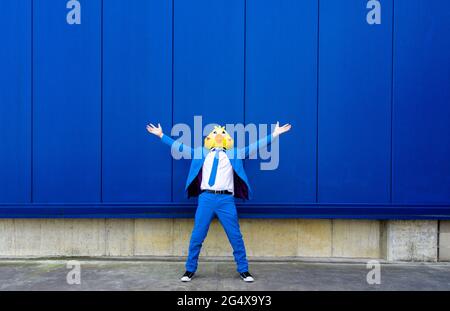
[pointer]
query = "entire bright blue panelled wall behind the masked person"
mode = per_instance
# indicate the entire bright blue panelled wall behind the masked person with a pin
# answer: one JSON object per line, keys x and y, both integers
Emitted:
{"x": 369, "y": 104}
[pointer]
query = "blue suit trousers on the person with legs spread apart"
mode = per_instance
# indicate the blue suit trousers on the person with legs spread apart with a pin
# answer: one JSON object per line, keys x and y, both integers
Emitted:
{"x": 222, "y": 206}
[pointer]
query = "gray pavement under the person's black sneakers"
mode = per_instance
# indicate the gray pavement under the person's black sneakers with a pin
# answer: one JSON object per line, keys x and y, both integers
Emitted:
{"x": 39, "y": 275}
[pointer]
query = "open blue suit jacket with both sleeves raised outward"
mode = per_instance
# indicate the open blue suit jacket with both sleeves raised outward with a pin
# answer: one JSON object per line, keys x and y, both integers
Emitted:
{"x": 241, "y": 185}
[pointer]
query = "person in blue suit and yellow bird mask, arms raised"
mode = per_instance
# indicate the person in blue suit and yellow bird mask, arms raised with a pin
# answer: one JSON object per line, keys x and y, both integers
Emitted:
{"x": 217, "y": 176}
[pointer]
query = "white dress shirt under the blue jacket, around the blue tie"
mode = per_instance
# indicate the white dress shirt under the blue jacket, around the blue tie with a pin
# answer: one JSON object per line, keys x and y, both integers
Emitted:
{"x": 224, "y": 176}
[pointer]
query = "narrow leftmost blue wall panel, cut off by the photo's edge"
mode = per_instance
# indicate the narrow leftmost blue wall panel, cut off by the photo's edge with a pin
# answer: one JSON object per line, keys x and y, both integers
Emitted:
{"x": 15, "y": 100}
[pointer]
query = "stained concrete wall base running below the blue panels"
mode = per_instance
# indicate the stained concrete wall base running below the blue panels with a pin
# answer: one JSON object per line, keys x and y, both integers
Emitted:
{"x": 290, "y": 238}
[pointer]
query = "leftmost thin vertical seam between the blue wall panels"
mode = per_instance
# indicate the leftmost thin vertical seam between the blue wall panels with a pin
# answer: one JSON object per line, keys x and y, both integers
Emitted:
{"x": 31, "y": 101}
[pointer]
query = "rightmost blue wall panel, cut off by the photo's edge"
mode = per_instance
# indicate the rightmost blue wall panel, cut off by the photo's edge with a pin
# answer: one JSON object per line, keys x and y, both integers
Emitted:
{"x": 421, "y": 153}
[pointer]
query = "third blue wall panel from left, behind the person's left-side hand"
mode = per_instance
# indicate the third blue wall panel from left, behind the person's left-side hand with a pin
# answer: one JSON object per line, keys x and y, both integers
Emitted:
{"x": 137, "y": 89}
